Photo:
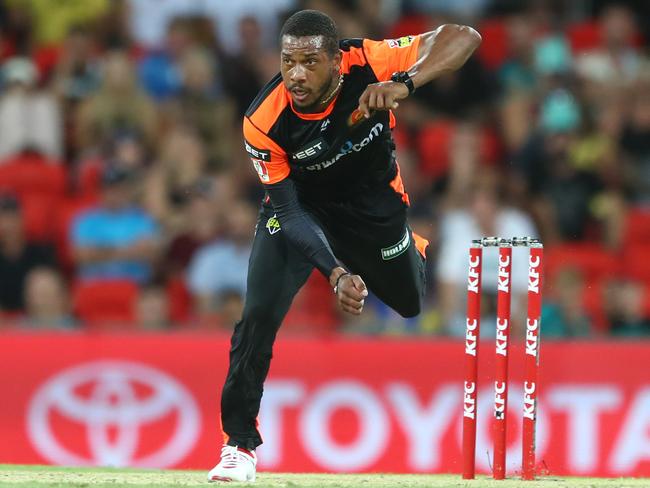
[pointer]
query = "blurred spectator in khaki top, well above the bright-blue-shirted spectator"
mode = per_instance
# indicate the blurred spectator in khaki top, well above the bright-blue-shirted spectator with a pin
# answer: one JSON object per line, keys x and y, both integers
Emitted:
{"x": 118, "y": 105}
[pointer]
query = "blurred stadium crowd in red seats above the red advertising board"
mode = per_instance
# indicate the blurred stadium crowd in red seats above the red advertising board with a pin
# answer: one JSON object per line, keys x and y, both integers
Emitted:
{"x": 127, "y": 200}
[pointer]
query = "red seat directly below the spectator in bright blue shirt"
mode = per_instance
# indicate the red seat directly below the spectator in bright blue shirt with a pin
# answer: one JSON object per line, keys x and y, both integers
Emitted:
{"x": 106, "y": 303}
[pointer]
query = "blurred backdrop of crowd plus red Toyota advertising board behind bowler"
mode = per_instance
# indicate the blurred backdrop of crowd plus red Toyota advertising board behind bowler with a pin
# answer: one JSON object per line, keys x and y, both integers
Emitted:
{"x": 128, "y": 204}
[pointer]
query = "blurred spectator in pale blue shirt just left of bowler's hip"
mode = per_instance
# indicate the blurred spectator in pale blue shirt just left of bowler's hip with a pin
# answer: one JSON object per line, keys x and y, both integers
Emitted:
{"x": 223, "y": 265}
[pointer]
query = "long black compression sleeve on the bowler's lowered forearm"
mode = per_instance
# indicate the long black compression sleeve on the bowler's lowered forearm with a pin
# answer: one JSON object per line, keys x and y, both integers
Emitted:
{"x": 299, "y": 228}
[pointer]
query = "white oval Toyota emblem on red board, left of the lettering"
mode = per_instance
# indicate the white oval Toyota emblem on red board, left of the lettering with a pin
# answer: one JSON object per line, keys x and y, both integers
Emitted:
{"x": 110, "y": 405}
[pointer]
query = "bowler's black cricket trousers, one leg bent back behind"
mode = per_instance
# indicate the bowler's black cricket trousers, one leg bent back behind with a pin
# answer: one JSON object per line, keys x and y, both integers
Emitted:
{"x": 368, "y": 234}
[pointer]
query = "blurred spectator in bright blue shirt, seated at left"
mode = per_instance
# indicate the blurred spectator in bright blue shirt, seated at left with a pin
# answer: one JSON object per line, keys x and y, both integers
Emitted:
{"x": 115, "y": 239}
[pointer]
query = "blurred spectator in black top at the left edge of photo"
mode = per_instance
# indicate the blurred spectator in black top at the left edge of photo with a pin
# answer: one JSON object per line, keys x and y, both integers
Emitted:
{"x": 17, "y": 256}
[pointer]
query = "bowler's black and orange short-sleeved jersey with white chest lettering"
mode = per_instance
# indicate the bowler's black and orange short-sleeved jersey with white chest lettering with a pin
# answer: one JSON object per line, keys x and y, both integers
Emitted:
{"x": 337, "y": 152}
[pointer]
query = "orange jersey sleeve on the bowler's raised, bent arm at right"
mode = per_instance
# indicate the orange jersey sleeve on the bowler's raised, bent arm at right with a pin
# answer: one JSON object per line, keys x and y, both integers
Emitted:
{"x": 390, "y": 55}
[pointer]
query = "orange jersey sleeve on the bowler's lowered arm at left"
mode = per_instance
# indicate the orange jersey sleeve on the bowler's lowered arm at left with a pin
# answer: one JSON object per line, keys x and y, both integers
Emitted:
{"x": 269, "y": 159}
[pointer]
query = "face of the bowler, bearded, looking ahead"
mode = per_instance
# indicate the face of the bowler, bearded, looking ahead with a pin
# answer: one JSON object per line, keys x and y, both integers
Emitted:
{"x": 309, "y": 72}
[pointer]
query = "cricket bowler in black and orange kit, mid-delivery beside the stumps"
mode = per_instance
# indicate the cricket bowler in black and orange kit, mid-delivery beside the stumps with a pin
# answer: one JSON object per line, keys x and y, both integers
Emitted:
{"x": 319, "y": 137}
